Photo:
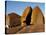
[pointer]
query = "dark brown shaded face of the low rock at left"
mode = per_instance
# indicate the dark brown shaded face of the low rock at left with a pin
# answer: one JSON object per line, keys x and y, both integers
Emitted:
{"x": 14, "y": 19}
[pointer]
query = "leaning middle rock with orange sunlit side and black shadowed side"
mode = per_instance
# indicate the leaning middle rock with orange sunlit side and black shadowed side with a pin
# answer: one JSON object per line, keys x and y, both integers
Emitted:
{"x": 26, "y": 16}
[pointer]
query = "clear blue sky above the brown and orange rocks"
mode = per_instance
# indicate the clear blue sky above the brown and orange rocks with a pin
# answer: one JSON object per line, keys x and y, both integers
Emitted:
{"x": 19, "y": 7}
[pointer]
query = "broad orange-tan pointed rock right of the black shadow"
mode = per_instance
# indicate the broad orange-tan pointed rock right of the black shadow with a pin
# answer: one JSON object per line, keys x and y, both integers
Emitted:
{"x": 37, "y": 16}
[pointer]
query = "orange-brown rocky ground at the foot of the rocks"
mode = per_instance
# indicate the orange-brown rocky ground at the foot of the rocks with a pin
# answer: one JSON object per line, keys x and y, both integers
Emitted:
{"x": 27, "y": 29}
